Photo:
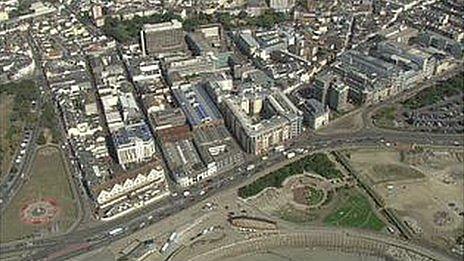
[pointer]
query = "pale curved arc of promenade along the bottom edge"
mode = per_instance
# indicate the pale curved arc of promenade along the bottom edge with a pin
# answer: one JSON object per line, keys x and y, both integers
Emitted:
{"x": 337, "y": 240}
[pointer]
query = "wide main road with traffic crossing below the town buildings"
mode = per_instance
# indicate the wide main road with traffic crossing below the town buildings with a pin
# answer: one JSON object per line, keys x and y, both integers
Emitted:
{"x": 97, "y": 236}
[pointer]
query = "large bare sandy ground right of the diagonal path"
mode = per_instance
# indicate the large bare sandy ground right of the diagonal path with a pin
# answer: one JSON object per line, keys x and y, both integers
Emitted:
{"x": 424, "y": 187}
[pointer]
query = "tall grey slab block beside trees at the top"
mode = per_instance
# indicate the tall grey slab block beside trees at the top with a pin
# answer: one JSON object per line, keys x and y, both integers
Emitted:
{"x": 162, "y": 37}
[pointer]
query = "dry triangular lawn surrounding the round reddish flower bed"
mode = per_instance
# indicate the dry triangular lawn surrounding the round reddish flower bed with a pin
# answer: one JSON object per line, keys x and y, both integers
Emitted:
{"x": 49, "y": 178}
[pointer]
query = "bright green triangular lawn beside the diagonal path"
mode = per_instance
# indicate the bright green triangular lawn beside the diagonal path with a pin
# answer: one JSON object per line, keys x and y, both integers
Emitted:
{"x": 356, "y": 212}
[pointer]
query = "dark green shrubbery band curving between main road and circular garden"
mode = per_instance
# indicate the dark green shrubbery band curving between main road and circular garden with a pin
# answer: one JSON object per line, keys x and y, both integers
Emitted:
{"x": 318, "y": 163}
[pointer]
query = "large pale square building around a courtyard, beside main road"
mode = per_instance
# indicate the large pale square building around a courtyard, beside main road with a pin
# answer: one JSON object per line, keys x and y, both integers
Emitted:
{"x": 262, "y": 120}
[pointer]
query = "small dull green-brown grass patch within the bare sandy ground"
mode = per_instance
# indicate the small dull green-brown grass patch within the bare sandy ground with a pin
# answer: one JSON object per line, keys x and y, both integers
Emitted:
{"x": 394, "y": 172}
